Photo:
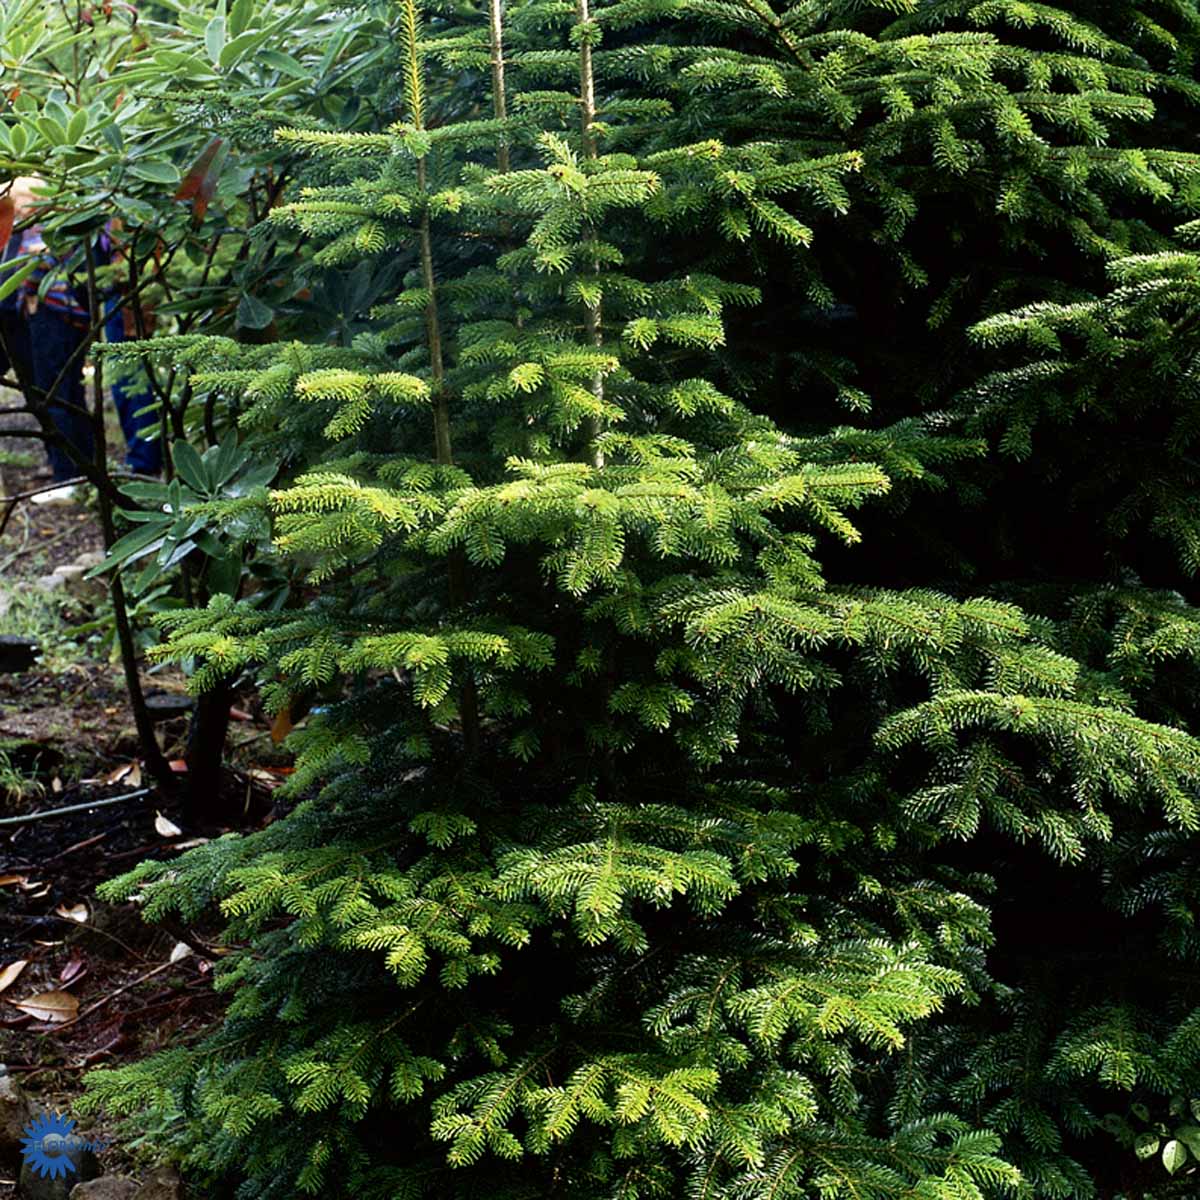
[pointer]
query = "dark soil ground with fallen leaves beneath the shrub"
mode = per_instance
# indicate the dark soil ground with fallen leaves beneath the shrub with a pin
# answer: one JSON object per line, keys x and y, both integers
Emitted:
{"x": 83, "y": 983}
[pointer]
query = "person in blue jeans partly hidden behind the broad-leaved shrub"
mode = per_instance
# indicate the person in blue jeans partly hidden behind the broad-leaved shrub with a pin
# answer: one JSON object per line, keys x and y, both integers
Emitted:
{"x": 45, "y": 334}
